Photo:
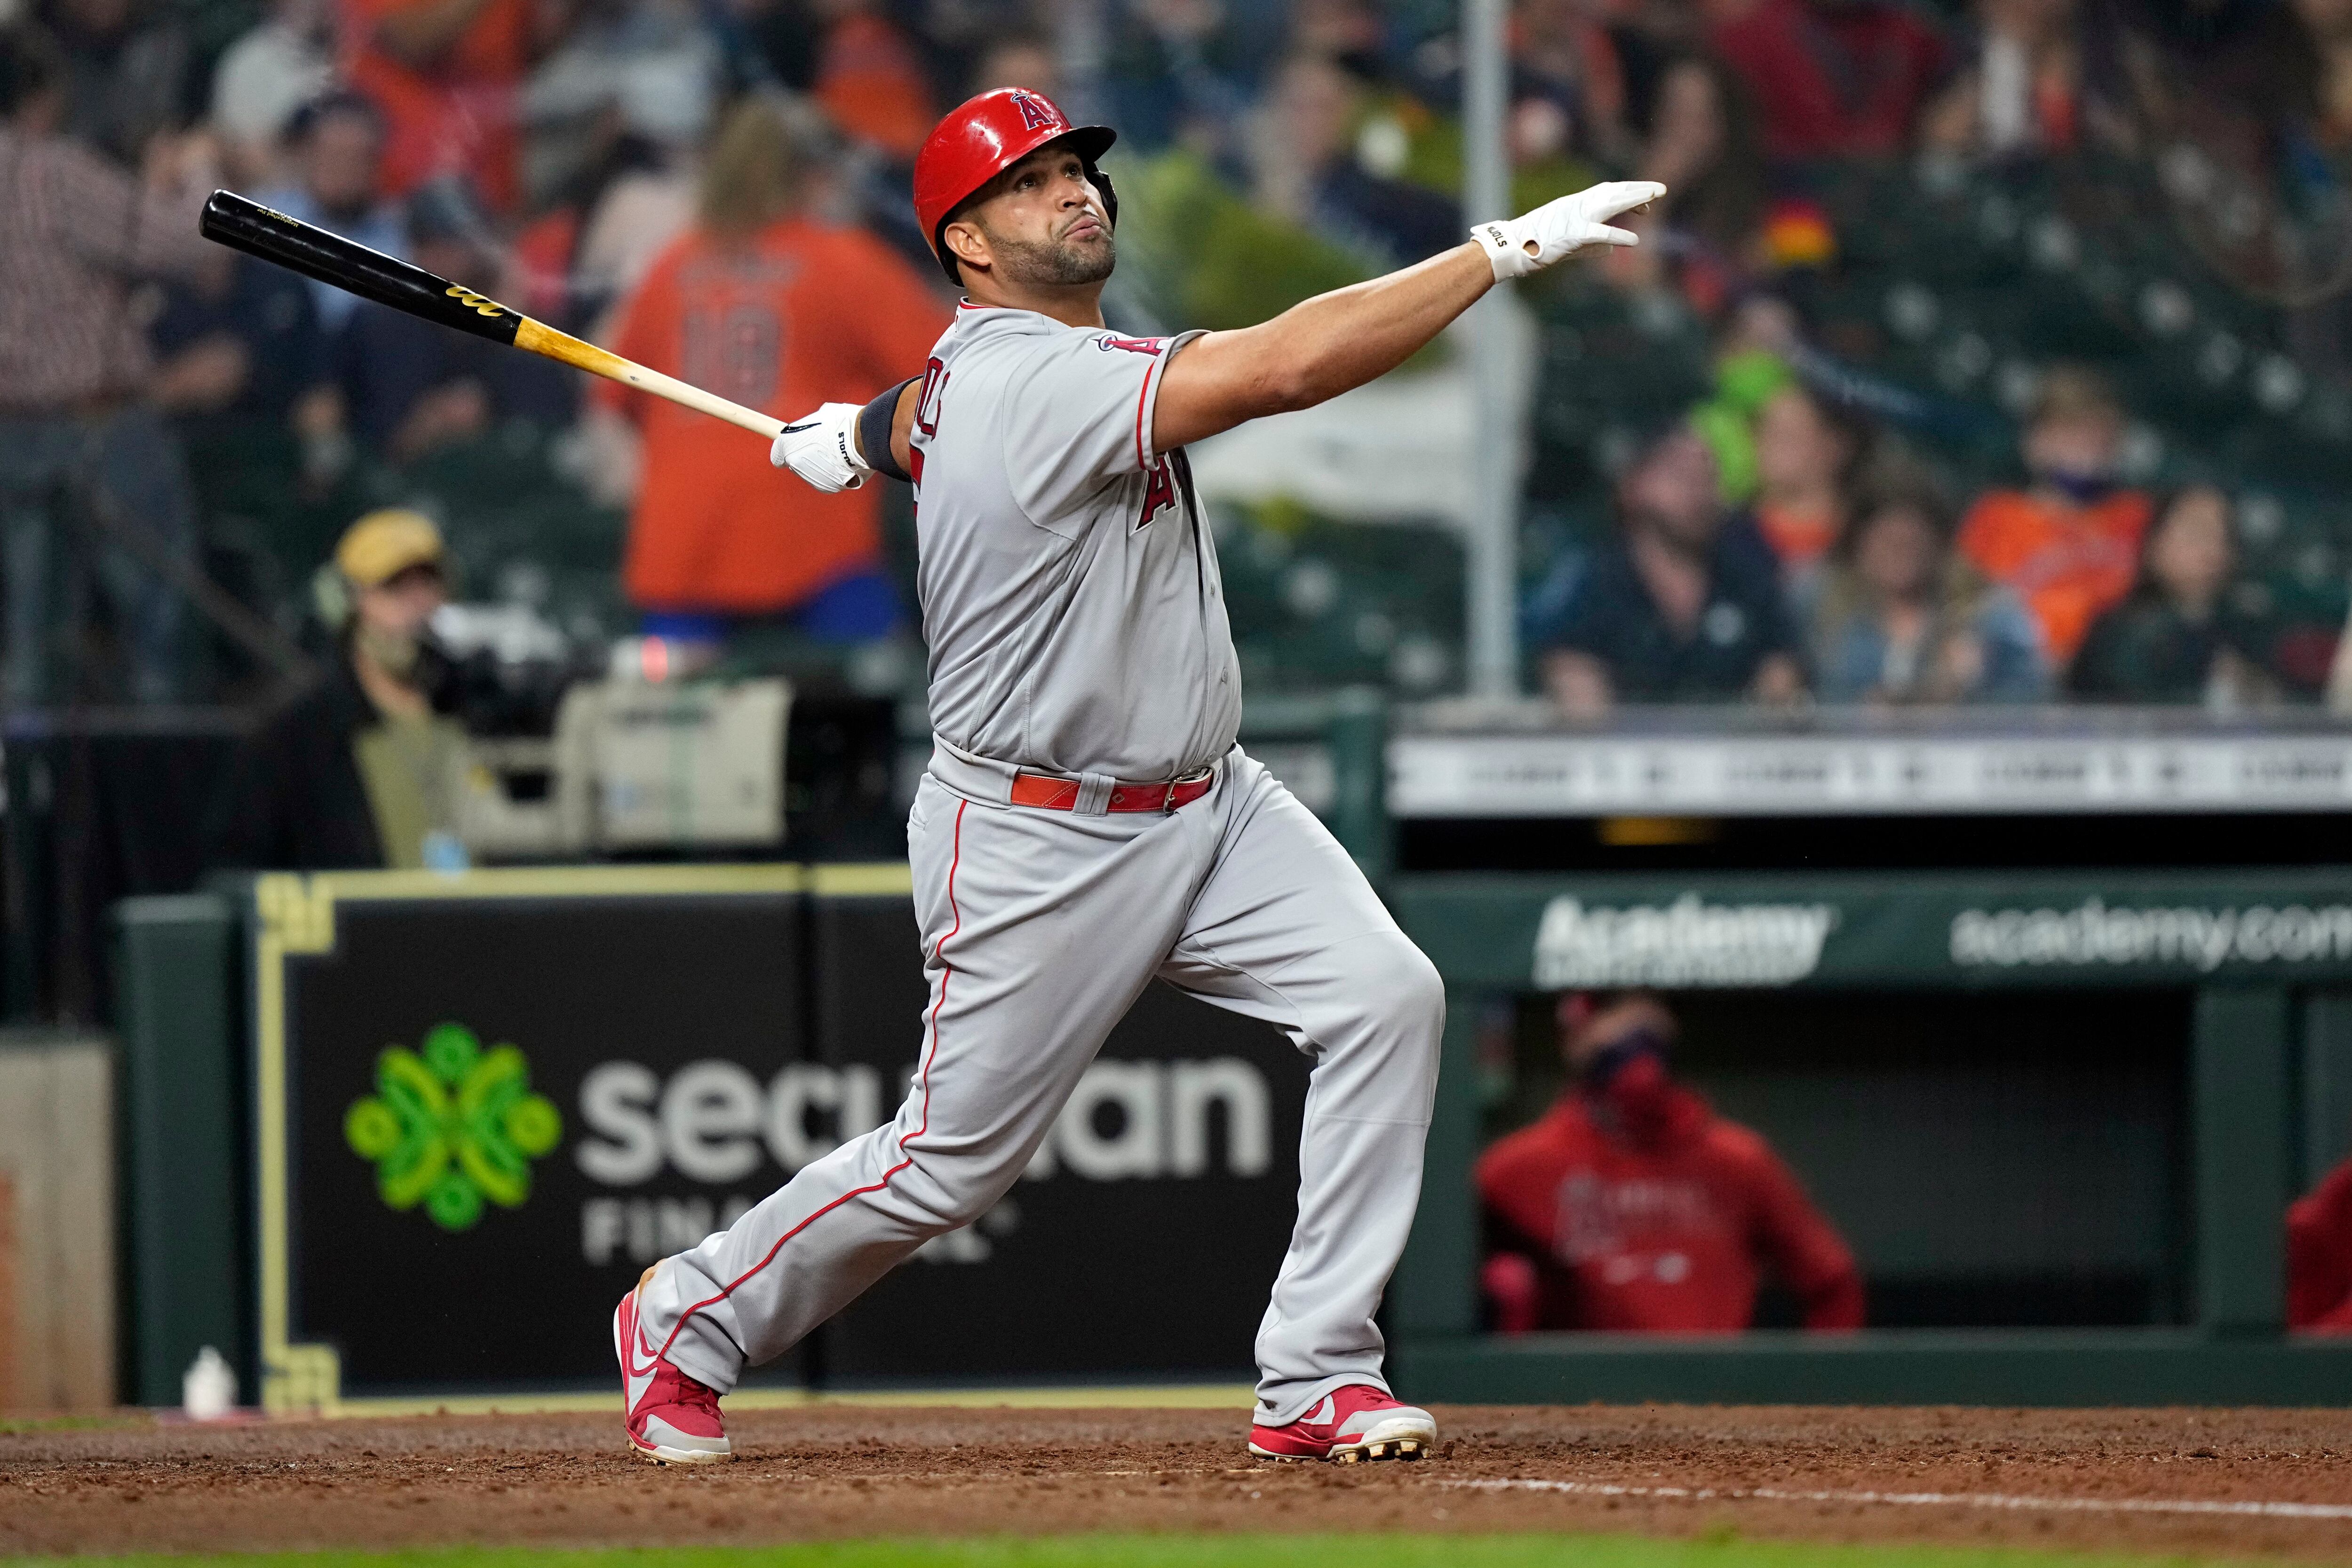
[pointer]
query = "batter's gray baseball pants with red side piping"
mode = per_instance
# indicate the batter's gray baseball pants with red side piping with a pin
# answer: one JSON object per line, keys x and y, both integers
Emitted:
{"x": 1038, "y": 932}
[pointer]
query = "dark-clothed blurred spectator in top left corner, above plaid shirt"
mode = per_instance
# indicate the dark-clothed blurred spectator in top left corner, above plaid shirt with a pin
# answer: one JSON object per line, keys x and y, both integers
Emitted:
{"x": 128, "y": 72}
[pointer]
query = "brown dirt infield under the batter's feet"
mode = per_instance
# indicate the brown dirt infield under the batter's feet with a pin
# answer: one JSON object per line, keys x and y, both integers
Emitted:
{"x": 2198, "y": 1482}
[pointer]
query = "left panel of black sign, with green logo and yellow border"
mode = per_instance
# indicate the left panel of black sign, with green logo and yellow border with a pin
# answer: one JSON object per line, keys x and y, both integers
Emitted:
{"x": 488, "y": 1101}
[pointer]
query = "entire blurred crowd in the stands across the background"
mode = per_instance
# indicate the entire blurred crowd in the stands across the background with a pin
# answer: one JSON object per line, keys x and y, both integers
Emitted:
{"x": 719, "y": 189}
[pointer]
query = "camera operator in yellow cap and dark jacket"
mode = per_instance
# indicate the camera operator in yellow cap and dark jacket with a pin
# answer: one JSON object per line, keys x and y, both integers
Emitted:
{"x": 363, "y": 768}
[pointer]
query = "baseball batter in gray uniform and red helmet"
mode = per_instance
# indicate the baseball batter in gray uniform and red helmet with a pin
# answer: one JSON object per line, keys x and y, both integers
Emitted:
{"x": 1088, "y": 822}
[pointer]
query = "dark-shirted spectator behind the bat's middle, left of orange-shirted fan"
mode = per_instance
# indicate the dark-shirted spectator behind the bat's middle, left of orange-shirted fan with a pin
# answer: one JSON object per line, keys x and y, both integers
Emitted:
{"x": 415, "y": 387}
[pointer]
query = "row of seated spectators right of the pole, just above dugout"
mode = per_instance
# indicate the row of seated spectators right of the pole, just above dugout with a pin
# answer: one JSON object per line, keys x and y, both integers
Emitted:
{"x": 1852, "y": 577}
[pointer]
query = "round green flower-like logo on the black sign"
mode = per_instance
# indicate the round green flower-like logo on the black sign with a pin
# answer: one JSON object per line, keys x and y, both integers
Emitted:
{"x": 453, "y": 1127}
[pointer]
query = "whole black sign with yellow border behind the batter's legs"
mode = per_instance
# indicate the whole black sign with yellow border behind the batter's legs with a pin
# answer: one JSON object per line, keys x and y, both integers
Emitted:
{"x": 490, "y": 1101}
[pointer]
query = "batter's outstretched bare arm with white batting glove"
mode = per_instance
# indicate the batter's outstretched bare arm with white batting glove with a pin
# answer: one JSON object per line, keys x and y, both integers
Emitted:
{"x": 1335, "y": 342}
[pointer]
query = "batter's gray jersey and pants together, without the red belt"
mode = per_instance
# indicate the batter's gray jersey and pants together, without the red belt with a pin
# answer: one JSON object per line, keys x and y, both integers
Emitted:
{"x": 1078, "y": 626}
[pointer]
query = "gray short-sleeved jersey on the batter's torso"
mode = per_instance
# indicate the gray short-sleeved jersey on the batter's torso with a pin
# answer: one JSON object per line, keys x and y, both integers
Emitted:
{"x": 1069, "y": 584}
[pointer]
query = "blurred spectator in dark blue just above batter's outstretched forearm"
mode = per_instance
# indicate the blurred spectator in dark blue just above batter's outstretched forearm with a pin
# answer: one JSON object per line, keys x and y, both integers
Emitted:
{"x": 1309, "y": 173}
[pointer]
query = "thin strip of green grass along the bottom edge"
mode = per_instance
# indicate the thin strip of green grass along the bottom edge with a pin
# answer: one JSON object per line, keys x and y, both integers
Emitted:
{"x": 1716, "y": 1550}
